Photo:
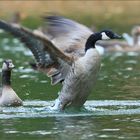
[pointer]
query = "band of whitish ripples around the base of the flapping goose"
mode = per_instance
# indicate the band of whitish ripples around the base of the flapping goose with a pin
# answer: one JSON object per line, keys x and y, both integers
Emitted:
{"x": 34, "y": 109}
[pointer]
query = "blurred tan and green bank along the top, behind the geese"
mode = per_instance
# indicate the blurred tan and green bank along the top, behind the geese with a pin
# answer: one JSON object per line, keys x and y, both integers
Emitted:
{"x": 118, "y": 15}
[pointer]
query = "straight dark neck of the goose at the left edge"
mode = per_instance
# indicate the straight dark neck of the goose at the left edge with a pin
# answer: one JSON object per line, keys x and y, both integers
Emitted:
{"x": 6, "y": 77}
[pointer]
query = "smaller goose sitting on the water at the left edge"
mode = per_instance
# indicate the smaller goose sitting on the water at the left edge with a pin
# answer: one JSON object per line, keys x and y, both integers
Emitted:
{"x": 8, "y": 97}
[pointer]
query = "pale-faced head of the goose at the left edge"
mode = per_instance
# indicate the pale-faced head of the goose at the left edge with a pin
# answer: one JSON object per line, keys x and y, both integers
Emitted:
{"x": 7, "y": 65}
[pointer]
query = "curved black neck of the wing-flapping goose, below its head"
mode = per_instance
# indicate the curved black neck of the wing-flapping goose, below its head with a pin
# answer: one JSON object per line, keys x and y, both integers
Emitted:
{"x": 92, "y": 40}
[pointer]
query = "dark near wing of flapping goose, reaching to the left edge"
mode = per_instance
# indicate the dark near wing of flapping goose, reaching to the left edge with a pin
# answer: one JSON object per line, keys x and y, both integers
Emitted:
{"x": 52, "y": 59}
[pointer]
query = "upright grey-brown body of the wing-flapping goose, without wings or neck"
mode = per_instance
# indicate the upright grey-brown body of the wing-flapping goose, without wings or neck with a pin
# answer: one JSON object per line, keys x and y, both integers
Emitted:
{"x": 79, "y": 80}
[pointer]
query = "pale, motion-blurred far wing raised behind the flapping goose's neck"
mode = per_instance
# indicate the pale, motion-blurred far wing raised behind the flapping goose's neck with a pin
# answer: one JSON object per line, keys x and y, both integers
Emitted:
{"x": 66, "y": 34}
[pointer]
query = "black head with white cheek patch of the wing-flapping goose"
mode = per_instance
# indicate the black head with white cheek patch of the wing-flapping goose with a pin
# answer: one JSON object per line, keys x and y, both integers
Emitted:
{"x": 108, "y": 34}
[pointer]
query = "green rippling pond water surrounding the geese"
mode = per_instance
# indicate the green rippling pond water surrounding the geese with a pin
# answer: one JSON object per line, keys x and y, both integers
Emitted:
{"x": 112, "y": 111}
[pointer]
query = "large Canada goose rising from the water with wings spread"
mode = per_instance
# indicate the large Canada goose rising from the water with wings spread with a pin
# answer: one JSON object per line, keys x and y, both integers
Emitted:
{"x": 66, "y": 51}
